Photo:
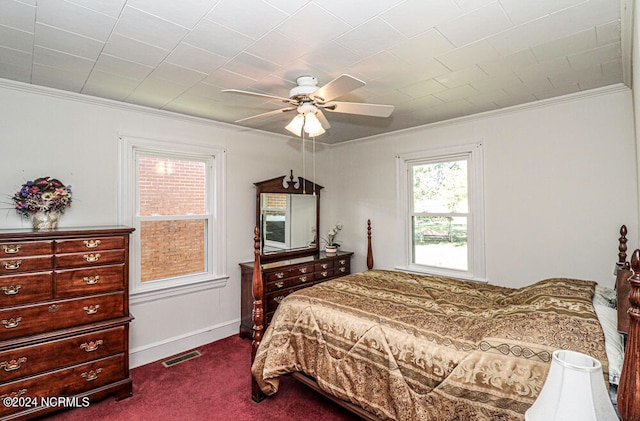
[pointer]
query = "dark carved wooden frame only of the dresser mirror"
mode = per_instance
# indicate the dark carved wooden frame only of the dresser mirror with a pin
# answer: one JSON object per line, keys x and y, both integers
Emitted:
{"x": 287, "y": 185}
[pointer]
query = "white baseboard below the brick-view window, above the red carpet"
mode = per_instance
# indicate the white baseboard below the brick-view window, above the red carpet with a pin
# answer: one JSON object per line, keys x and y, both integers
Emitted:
{"x": 159, "y": 350}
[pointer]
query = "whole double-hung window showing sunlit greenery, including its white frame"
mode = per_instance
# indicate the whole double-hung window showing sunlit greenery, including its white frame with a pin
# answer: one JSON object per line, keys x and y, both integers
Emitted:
{"x": 442, "y": 206}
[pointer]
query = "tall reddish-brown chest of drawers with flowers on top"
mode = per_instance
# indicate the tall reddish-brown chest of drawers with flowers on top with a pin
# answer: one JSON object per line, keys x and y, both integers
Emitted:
{"x": 64, "y": 319}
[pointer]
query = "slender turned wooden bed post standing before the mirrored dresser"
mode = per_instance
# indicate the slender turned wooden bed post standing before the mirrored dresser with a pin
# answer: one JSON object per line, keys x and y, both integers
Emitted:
{"x": 258, "y": 311}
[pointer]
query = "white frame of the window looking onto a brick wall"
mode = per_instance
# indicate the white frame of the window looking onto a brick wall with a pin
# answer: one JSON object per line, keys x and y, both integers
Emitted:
{"x": 215, "y": 273}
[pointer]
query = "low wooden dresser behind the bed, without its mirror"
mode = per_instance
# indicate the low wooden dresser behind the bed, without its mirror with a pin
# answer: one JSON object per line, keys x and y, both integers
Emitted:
{"x": 282, "y": 277}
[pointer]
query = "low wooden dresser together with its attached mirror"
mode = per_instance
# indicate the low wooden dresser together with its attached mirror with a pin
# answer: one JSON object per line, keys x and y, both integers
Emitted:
{"x": 288, "y": 217}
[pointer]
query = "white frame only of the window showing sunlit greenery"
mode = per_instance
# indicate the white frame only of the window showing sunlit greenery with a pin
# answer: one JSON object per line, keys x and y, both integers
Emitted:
{"x": 476, "y": 268}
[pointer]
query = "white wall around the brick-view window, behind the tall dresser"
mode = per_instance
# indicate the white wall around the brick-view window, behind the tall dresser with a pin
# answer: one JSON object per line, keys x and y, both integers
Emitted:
{"x": 44, "y": 132}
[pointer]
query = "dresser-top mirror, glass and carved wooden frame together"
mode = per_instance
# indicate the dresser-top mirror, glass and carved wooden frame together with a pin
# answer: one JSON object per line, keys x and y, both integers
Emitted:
{"x": 287, "y": 212}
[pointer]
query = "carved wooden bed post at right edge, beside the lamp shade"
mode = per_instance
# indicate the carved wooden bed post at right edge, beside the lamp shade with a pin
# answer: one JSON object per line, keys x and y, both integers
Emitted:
{"x": 629, "y": 388}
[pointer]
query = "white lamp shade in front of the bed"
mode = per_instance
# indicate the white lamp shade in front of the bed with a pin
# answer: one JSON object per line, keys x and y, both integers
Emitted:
{"x": 574, "y": 390}
